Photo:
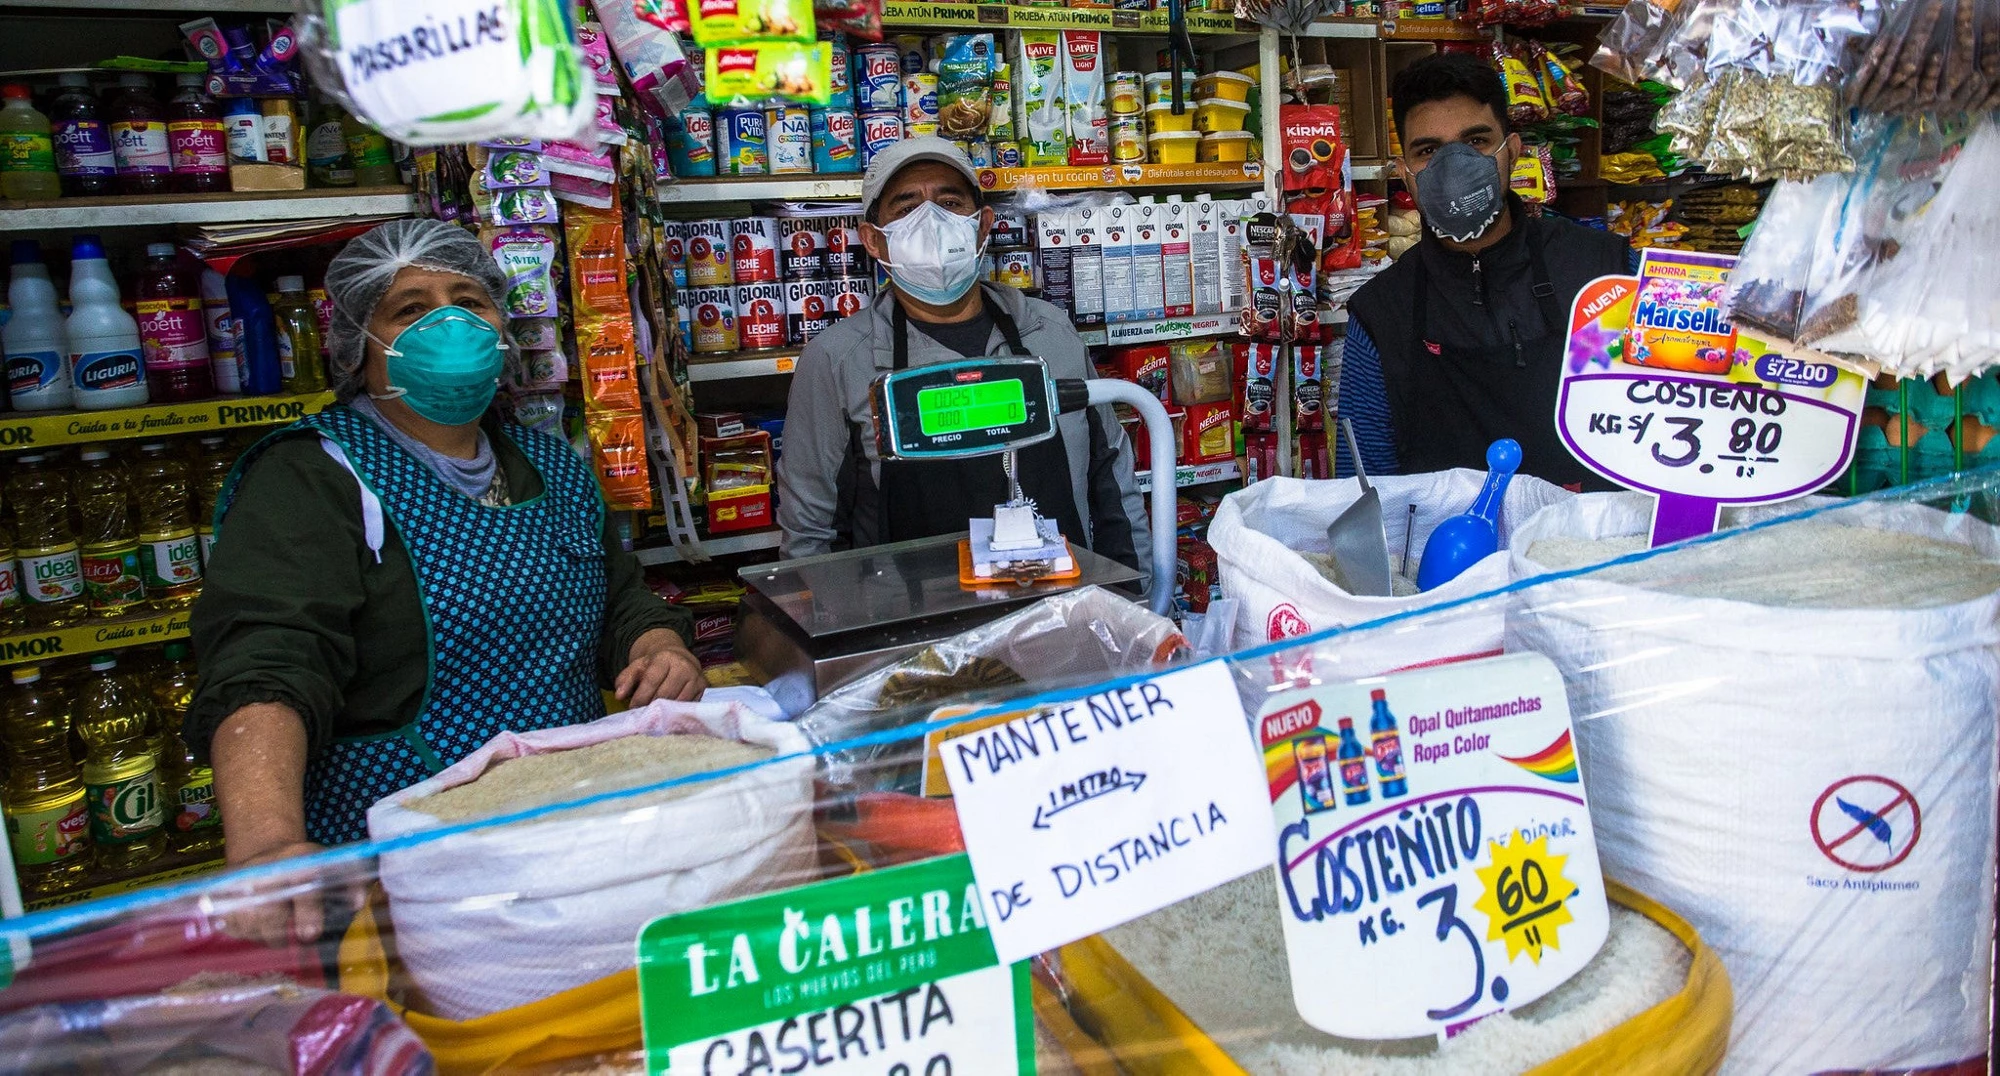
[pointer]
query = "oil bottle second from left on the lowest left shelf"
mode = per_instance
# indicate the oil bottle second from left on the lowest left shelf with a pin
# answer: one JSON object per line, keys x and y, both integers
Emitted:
{"x": 121, "y": 769}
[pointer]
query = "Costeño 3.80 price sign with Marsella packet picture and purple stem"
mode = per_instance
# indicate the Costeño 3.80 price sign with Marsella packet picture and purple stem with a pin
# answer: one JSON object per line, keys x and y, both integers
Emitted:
{"x": 1661, "y": 395}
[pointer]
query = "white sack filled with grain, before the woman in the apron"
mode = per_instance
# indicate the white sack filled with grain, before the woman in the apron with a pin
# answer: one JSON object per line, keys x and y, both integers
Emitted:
{"x": 509, "y": 915}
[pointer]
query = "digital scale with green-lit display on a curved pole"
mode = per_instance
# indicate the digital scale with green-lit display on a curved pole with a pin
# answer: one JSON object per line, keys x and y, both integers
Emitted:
{"x": 815, "y": 623}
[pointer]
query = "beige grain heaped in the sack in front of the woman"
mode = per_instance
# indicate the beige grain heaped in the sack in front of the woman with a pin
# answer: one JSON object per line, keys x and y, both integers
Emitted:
{"x": 561, "y": 777}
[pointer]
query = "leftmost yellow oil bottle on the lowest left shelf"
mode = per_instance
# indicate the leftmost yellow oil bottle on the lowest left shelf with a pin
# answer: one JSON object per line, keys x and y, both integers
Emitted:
{"x": 47, "y": 813}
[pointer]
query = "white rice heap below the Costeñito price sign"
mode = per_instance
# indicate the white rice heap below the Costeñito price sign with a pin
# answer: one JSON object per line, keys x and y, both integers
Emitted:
{"x": 1221, "y": 959}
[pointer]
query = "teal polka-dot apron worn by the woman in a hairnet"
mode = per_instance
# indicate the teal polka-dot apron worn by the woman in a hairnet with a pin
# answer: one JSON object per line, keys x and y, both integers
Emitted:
{"x": 513, "y": 603}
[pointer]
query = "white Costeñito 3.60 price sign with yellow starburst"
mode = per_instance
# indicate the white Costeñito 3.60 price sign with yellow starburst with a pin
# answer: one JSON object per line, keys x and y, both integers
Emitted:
{"x": 1435, "y": 849}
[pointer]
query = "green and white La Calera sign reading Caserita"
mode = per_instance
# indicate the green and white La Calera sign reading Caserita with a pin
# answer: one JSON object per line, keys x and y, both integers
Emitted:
{"x": 879, "y": 973}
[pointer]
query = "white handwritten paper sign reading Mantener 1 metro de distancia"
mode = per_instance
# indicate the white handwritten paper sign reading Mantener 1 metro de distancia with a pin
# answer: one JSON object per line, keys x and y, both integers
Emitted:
{"x": 1091, "y": 813}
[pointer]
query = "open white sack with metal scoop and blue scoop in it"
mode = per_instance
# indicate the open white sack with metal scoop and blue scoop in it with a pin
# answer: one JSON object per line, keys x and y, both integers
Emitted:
{"x": 1269, "y": 535}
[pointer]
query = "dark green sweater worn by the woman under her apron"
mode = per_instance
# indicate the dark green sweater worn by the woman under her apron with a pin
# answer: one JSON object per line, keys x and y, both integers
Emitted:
{"x": 297, "y": 611}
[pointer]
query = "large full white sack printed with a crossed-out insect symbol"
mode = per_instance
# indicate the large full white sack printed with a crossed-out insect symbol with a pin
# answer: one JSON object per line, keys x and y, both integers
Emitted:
{"x": 1789, "y": 739}
